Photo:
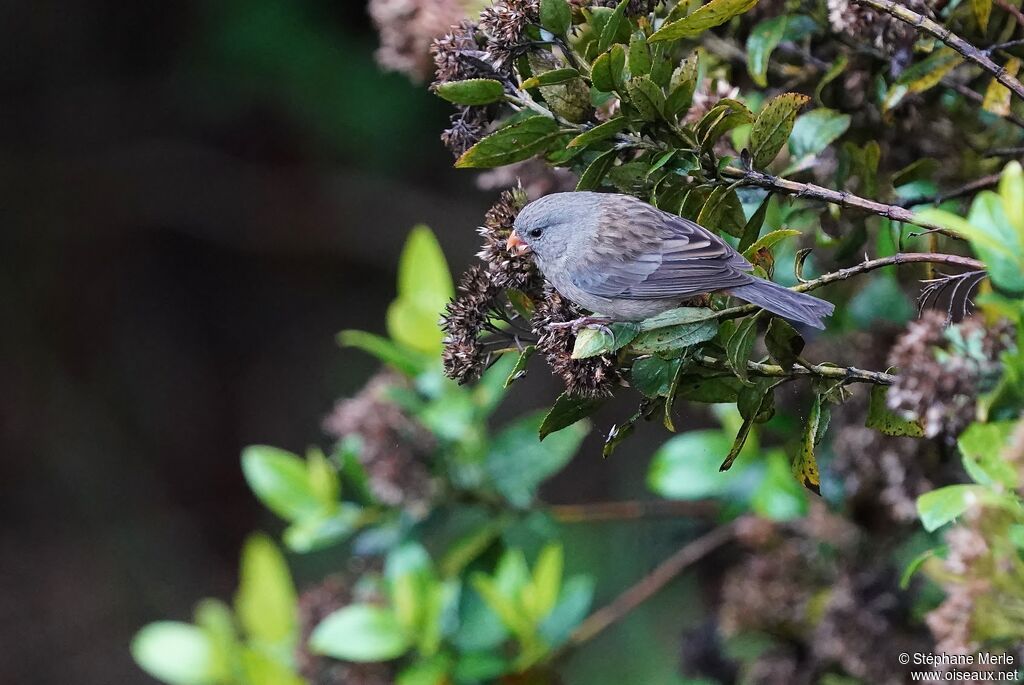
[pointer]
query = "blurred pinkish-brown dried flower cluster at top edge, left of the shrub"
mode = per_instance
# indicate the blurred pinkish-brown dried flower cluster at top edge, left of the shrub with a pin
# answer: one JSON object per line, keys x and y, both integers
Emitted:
{"x": 407, "y": 29}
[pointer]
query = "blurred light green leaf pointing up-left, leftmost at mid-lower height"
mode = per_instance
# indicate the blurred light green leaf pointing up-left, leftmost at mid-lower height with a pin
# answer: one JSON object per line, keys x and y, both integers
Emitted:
{"x": 281, "y": 482}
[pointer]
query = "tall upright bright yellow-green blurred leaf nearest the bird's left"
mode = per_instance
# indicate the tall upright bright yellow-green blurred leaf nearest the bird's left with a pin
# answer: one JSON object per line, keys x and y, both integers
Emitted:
{"x": 424, "y": 289}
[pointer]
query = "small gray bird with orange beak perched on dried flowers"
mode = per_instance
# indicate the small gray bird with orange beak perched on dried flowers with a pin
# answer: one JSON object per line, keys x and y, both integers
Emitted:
{"x": 622, "y": 259}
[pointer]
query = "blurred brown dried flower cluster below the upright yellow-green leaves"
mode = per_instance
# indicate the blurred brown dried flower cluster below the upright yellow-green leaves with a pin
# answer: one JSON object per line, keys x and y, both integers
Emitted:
{"x": 394, "y": 448}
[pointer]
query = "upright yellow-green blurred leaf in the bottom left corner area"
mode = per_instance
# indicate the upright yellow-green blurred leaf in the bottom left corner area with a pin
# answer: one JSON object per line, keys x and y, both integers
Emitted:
{"x": 266, "y": 602}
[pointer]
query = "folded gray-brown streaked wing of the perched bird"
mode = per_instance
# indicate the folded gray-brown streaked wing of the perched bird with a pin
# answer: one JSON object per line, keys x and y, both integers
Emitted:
{"x": 651, "y": 254}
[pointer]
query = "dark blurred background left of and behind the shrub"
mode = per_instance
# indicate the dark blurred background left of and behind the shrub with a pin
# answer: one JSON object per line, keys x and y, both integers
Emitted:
{"x": 196, "y": 197}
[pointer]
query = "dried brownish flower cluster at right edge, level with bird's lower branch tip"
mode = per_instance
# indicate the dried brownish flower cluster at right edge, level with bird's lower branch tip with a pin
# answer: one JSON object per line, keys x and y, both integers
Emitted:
{"x": 944, "y": 370}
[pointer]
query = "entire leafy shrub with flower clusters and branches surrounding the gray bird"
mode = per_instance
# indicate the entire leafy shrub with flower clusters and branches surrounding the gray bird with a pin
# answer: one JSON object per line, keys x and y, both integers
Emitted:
{"x": 453, "y": 570}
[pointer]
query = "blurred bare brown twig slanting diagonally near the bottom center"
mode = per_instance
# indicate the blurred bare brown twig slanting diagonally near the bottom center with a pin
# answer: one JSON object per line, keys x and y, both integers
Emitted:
{"x": 652, "y": 584}
